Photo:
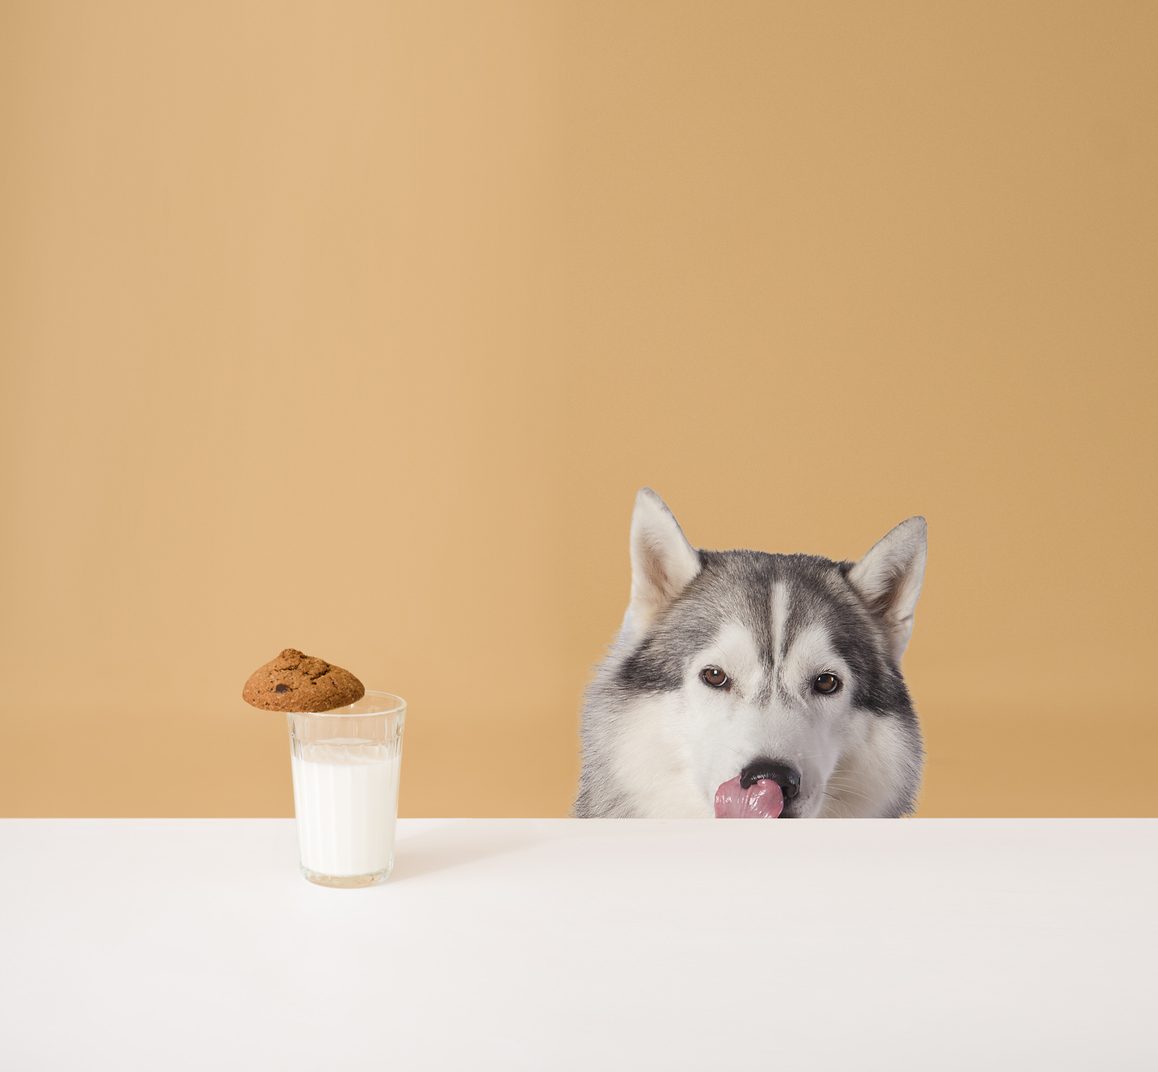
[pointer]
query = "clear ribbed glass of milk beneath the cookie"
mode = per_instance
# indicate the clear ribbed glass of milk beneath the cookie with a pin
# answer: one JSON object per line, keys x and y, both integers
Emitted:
{"x": 346, "y": 789}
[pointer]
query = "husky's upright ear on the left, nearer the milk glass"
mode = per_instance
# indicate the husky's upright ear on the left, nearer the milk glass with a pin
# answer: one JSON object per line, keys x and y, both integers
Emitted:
{"x": 663, "y": 562}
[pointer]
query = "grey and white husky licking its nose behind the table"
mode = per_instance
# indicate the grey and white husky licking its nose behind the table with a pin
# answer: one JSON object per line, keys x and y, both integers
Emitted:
{"x": 751, "y": 685}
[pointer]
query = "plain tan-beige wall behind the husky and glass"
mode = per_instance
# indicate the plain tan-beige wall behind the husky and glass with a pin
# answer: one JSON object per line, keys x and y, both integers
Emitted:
{"x": 355, "y": 327}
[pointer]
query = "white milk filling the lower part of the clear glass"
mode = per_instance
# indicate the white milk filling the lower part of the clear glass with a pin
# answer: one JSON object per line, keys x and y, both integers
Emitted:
{"x": 346, "y": 795}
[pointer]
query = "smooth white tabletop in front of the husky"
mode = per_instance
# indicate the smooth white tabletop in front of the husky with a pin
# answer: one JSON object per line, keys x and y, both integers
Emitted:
{"x": 559, "y": 944}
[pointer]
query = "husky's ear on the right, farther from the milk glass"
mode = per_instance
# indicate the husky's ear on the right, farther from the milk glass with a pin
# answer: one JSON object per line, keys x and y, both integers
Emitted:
{"x": 889, "y": 579}
